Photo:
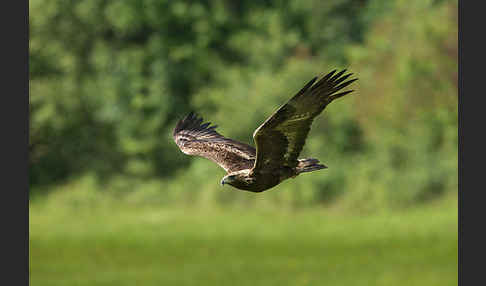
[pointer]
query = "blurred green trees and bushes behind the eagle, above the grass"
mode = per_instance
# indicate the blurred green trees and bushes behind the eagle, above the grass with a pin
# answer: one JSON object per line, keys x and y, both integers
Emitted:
{"x": 109, "y": 79}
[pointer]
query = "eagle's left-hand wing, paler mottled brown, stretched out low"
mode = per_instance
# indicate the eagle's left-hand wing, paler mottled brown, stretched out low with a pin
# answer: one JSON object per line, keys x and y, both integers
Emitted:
{"x": 194, "y": 138}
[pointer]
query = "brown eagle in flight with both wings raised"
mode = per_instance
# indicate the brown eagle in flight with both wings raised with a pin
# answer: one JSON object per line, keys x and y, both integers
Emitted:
{"x": 279, "y": 140}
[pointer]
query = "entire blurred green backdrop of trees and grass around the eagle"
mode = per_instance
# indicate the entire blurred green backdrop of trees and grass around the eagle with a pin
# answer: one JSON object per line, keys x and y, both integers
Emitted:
{"x": 114, "y": 202}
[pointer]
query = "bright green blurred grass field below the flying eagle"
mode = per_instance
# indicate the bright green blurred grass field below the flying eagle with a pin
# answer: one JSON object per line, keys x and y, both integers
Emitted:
{"x": 133, "y": 245}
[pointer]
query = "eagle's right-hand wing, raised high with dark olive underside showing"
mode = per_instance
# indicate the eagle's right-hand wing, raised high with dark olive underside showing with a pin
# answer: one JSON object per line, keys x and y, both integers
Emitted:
{"x": 279, "y": 140}
